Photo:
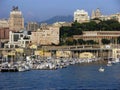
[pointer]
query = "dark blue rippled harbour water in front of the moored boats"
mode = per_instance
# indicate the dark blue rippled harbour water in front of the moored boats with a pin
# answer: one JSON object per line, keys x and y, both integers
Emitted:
{"x": 79, "y": 76}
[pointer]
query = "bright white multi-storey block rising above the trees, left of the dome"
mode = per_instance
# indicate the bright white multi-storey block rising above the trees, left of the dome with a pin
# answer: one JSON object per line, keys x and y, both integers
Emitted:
{"x": 81, "y": 16}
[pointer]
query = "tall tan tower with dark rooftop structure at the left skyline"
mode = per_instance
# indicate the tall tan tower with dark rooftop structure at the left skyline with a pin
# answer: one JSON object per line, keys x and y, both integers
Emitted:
{"x": 16, "y": 20}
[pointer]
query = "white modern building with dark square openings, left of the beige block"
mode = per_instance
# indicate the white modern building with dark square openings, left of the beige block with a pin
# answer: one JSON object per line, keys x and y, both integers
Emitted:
{"x": 18, "y": 39}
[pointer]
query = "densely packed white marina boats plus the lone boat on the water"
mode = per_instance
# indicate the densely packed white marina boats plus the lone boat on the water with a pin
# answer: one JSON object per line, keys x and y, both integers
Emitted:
{"x": 49, "y": 64}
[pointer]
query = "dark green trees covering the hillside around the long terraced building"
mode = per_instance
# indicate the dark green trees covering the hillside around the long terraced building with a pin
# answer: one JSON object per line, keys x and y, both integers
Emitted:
{"x": 66, "y": 32}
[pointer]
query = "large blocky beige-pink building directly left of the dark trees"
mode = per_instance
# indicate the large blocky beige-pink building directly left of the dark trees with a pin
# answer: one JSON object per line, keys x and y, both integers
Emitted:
{"x": 46, "y": 36}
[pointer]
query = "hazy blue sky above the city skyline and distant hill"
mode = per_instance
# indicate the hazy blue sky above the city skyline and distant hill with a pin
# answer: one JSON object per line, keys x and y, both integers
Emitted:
{"x": 38, "y": 10}
